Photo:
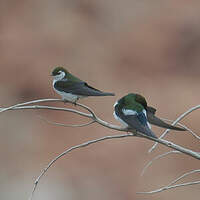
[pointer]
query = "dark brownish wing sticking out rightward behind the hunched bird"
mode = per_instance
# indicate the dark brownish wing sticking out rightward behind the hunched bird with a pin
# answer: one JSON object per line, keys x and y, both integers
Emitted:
{"x": 152, "y": 119}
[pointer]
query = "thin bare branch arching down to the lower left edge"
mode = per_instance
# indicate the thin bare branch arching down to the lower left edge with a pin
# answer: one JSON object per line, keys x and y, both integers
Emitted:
{"x": 71, "y": 149}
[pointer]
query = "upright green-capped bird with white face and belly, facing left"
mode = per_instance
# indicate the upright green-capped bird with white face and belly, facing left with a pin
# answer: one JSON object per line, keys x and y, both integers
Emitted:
{"x": 72, "y": 88}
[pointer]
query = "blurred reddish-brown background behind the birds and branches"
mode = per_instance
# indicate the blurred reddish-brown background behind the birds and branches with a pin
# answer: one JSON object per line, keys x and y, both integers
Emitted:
{"x": 148, "y": 47}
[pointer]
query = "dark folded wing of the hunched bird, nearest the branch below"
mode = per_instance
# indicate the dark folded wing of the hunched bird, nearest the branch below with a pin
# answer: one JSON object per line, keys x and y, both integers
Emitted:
{"x": 137, "y": 122}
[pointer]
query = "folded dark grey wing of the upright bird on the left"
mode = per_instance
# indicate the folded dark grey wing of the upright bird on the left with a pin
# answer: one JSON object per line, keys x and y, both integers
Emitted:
{"x": 79, "y": 88}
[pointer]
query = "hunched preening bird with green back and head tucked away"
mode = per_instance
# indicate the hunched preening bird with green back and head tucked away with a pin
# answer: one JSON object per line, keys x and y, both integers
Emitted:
{"x": 132, "y": 111}
